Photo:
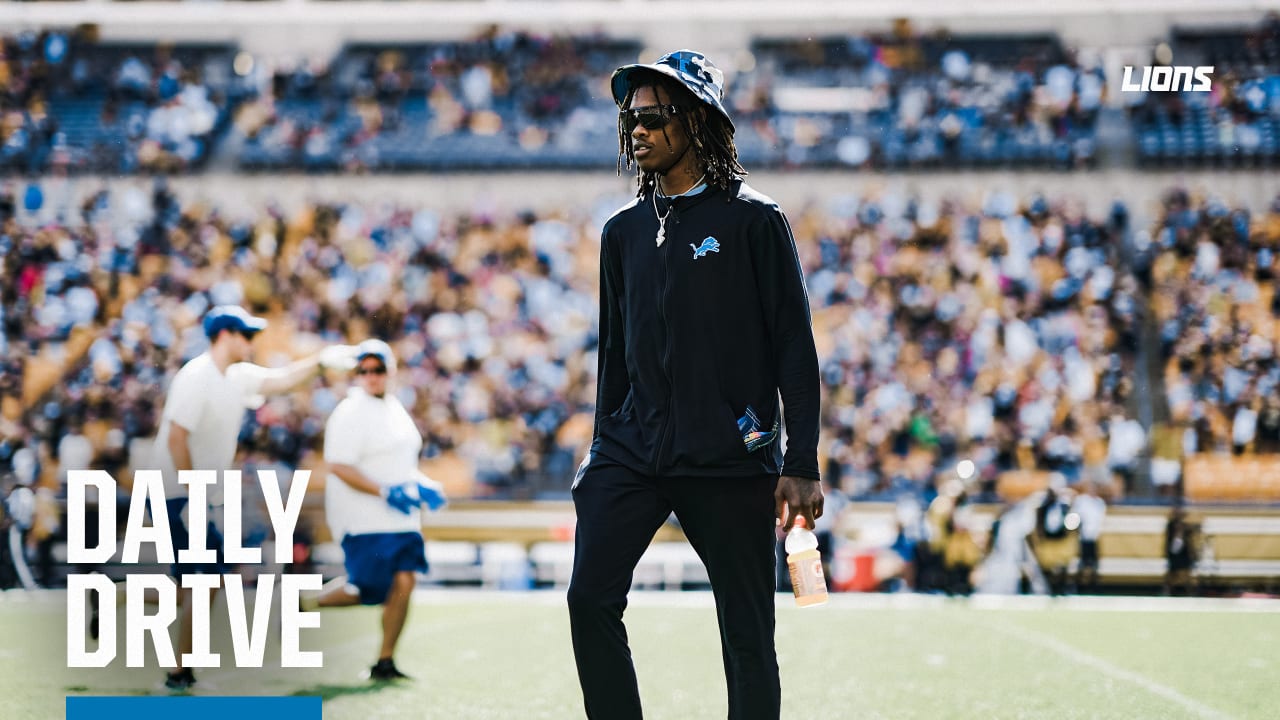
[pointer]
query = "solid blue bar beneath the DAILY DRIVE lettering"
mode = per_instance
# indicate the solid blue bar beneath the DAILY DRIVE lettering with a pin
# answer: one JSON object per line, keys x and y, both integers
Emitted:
{"x": 194, "y": 708}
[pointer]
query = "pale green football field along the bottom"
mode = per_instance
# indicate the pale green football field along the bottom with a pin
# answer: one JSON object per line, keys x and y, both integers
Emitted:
{"x": 508, "y": 657}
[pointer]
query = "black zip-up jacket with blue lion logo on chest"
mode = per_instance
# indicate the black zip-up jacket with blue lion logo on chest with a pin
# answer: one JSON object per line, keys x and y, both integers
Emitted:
{"x": 696, "y": 332}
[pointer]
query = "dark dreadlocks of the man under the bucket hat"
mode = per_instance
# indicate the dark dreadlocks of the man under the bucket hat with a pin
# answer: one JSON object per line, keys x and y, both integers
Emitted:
{"x": 710, "y": 134}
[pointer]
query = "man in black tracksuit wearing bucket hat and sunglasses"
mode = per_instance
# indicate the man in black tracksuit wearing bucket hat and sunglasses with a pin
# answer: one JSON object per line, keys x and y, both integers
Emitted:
{"x": 705, "y": 321}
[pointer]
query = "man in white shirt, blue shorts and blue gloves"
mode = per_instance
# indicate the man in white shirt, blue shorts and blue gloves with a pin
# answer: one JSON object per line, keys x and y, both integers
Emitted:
{"x": 372, "y": 498}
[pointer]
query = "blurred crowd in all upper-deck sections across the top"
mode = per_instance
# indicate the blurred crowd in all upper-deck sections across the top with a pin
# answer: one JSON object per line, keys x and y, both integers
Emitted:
{"x": 509, "y": 99}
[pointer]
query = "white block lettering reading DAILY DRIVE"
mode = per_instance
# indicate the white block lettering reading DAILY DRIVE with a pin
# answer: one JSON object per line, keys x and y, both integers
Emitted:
{"x": 249, "y": 613}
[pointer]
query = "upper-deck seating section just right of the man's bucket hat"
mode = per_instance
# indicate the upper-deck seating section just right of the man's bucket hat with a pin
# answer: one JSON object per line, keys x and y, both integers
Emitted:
{"x": 925, "y": 102}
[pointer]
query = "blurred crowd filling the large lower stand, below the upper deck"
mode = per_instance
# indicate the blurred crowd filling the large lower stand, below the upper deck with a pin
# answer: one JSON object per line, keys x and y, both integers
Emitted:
{"x": 1007, "y": 332}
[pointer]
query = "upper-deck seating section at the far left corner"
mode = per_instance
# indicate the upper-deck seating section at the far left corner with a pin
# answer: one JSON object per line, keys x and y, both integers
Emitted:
{"x": 112, "y": 108}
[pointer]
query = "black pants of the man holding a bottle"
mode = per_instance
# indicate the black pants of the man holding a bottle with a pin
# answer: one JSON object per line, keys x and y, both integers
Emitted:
{"x": 730, "y": 523}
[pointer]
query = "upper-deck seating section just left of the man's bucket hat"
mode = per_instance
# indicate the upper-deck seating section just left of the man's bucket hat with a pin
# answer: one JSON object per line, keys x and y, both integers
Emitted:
{"x": 496, "y": 103}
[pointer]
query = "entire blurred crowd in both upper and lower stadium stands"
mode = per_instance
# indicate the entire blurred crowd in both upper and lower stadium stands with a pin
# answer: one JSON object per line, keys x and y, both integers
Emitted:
{"x": 1018, "y": 332}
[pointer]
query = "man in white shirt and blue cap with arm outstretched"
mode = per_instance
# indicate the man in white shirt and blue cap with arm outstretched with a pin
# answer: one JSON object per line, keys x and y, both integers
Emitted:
{"x": 200, "y": 427}
